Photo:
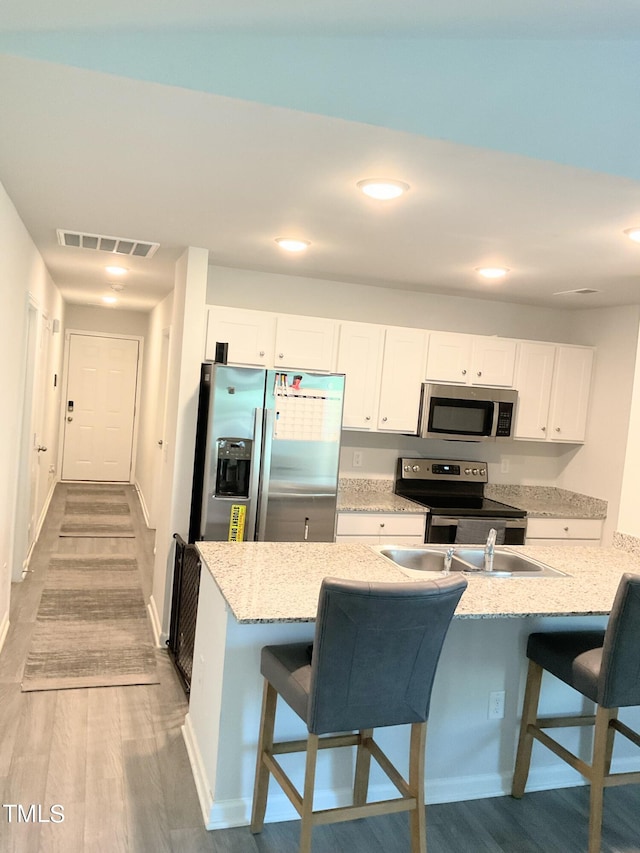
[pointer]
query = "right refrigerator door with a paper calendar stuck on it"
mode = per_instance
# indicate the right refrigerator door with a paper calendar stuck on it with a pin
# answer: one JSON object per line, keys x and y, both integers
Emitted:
{"x": 302, "y": 454}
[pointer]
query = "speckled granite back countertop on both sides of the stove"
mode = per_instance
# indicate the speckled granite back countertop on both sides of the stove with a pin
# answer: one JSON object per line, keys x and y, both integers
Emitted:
{"x": 377, "y": 495}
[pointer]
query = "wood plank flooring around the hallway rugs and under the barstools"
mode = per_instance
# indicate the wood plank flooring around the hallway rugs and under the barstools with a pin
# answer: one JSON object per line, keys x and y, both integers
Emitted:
{"x": 114, "y": 758}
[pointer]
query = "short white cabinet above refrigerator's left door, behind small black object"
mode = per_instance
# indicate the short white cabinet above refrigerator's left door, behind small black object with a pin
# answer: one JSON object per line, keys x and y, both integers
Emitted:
{"x": 249, "y": 334}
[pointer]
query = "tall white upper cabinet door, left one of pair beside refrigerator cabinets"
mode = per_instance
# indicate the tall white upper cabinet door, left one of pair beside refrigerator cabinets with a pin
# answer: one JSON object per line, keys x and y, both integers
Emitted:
{"x": 360, "y": 359}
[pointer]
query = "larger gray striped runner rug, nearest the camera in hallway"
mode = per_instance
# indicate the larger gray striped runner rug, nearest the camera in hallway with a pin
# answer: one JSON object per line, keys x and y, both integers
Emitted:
{"x": 92, "y": 628}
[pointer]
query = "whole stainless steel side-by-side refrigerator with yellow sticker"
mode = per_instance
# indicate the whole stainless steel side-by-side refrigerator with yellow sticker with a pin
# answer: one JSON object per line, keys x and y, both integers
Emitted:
{"x": 267, "y": 455}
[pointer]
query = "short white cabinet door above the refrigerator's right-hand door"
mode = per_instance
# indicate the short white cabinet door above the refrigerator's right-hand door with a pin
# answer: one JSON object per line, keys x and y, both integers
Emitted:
{"x": 307, "y": 343}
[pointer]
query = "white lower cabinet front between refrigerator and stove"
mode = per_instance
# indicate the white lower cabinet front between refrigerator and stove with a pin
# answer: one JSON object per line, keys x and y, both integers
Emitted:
{"x": 378, "y": 528}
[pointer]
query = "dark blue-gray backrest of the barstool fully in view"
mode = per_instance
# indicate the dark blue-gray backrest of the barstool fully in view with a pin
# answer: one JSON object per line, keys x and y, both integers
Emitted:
{"x": 376, "y": 650}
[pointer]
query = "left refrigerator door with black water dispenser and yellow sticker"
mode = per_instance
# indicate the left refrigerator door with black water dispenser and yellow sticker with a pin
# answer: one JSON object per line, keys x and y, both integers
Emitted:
{"x": 230, "y": 503}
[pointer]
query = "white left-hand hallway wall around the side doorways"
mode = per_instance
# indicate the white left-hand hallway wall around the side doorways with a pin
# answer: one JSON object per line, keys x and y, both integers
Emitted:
{"x": 22, "y": 272}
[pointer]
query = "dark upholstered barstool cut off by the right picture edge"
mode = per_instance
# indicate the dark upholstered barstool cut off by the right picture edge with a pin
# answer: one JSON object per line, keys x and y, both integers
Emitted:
{"x": 605, "y": 667}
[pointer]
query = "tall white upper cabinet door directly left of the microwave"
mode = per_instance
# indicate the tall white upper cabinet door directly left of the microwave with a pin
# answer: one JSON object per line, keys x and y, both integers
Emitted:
{"x": 402, "y": 375}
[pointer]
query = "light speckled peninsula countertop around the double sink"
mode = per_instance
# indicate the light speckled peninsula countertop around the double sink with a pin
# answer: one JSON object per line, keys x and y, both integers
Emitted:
{"x": 280, "y": 581}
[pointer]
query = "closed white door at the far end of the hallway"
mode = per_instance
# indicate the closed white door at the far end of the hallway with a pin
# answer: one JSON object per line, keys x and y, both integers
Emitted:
{"x": 99, "y": 406}
